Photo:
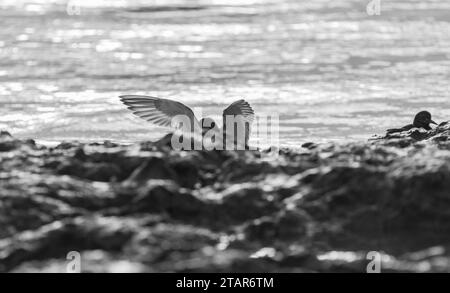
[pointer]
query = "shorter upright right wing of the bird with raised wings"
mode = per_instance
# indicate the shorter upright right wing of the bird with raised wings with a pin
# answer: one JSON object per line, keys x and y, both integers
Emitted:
{"x": 242, "y": 114}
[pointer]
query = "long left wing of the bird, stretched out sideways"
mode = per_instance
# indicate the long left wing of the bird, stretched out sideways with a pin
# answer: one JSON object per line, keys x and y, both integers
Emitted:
{"x": 162, "y": 112}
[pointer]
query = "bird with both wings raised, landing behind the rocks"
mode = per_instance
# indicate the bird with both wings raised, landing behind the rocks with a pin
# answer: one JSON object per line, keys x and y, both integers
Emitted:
{"x": 173, "y": 114}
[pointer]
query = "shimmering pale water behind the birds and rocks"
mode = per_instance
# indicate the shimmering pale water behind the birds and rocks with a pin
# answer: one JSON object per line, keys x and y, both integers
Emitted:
{"x": 329, "y": 69}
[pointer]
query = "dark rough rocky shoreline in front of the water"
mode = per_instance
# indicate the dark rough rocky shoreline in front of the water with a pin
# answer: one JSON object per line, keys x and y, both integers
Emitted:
{"x": 146, "y": 208}
